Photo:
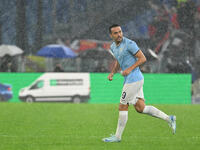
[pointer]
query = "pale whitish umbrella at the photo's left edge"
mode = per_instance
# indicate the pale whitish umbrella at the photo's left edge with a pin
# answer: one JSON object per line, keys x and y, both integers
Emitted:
{"x": 11, "y": 50}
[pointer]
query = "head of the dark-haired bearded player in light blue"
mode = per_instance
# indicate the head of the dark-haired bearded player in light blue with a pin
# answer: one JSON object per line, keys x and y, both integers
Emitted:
{"x": 116, "y": 34}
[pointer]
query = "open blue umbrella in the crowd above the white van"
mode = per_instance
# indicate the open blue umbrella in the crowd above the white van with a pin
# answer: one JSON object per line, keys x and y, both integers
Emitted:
{"x": 56, "y": 51}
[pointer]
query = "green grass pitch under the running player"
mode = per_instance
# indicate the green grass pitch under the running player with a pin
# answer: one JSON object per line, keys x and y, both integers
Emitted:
{"x": 64, "y": 126}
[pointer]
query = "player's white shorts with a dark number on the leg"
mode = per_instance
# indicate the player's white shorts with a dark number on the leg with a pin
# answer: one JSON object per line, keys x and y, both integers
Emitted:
{"x": 131, "y": 92}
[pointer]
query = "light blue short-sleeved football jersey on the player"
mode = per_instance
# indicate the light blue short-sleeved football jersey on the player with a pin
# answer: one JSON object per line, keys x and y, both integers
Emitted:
{"x": 125, "y": 55}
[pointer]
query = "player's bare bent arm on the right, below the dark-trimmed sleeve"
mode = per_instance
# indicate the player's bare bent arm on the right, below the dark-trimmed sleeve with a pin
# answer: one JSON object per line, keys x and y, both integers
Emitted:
{"x": 141, "y": 59}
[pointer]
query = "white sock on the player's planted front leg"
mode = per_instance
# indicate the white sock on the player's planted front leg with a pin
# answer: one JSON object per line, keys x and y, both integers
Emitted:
{"x": 123, "y": 117}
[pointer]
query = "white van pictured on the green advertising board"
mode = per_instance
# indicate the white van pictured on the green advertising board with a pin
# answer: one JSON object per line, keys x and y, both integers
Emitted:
{"x": 74, "y": 87}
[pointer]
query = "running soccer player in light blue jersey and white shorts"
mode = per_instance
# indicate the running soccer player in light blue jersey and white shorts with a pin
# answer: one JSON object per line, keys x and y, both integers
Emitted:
{"x": 129, "y": 57}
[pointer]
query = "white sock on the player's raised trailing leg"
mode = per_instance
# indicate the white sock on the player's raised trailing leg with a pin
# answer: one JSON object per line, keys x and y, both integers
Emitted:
{"x": 153, "y": 111}
